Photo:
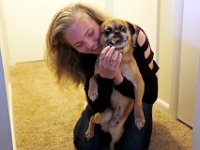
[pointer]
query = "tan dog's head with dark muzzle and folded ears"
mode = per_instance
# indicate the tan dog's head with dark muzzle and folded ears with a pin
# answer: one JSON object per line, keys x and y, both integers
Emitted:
{"x": 117, "y": 33}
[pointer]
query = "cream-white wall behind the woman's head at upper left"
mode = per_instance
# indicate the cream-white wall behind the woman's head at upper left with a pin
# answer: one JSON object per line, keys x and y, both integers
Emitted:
{"x": 26, "y": 24}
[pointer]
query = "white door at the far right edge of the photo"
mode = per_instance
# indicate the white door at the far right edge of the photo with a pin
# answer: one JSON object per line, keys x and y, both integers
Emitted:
{"x": 190, "y": 47}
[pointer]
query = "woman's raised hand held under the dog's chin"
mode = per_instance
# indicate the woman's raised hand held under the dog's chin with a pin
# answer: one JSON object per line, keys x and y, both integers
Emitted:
{"x": 109, "y": 64}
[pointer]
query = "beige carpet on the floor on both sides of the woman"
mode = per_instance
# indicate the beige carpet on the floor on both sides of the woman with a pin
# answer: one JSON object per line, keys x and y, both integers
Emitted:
{"x": 44, "y": 116}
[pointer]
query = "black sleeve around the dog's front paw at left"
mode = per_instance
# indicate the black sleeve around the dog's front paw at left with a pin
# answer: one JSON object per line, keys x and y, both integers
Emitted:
{"x": 105, "y": 87}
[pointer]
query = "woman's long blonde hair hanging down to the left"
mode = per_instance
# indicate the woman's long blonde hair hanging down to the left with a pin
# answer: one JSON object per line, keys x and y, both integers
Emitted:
{"x": 61, "y": 58}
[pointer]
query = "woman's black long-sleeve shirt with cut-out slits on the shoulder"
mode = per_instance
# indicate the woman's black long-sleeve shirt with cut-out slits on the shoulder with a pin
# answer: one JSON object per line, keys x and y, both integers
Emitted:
{"x": 105, "y": 86}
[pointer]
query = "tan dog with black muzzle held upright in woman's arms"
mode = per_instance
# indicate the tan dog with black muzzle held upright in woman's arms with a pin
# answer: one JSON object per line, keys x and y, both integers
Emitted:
{"x": 121, "y": 35}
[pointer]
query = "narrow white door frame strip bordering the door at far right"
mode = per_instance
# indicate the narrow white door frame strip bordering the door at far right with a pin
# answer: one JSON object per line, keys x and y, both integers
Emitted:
{"x": 177, "y": 30}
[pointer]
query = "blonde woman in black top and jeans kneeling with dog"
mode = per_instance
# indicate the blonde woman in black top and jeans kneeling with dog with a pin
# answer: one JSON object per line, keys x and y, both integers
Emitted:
{"x": 72, "y": 48}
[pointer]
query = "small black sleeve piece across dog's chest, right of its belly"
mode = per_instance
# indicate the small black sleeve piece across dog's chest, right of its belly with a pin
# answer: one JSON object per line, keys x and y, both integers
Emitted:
{"x": 126, "y": 88}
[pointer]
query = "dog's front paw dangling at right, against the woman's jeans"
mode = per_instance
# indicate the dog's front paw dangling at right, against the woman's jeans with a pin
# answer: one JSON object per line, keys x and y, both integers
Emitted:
{"x": 139, "y": 119}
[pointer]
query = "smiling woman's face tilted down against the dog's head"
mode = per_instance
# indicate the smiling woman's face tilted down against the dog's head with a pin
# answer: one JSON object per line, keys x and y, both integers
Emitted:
{"x": 84, "y": 35}
